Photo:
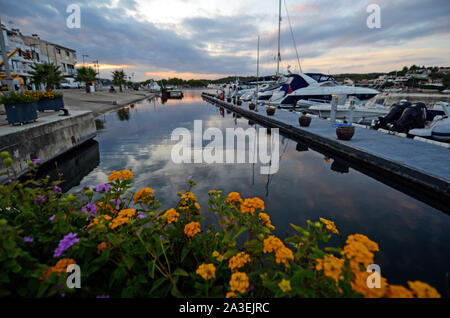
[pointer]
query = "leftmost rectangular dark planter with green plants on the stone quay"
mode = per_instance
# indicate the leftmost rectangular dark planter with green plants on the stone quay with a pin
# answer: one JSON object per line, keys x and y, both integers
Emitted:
{"x": 20, "y": 108}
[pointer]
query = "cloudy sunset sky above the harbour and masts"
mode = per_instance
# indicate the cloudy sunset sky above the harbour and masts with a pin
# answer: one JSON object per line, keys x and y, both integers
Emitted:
{"x": 211, "y": 39}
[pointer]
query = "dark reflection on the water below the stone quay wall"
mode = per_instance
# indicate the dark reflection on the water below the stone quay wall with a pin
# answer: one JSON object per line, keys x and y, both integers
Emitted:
{"x": 72, "y": 166}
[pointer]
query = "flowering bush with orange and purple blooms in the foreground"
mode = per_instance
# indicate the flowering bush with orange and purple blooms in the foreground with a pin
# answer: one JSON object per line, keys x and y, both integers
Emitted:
{"x": 128, "y": 246}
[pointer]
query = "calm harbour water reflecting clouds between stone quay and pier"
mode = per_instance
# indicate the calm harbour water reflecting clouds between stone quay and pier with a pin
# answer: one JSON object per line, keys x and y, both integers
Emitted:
{"x": 413, "y": 236}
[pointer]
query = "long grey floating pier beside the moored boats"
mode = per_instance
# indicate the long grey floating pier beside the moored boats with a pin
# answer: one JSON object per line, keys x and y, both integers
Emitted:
{"x": 424, "y": 167}
